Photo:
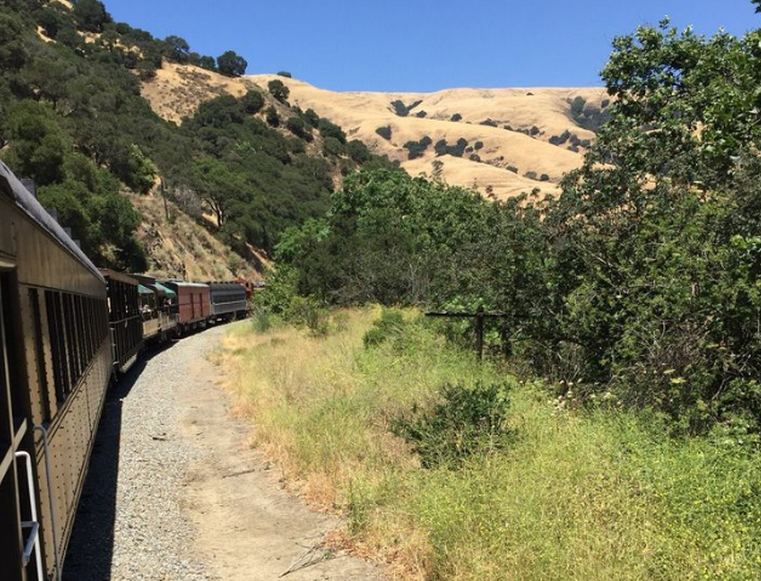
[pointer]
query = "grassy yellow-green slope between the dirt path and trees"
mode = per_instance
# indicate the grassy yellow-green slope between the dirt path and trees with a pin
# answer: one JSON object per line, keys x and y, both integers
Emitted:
{"x": 600, "y": 495}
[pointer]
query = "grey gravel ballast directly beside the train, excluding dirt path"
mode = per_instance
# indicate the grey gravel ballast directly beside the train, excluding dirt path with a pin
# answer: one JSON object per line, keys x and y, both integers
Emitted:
{"x": 130, "y": 523}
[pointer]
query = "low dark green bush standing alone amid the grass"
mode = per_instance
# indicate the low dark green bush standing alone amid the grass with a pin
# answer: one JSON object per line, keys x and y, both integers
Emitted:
{"x": 467, "y": 421}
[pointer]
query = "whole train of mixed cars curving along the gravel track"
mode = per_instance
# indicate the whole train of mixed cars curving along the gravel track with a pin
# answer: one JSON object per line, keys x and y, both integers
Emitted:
{"x": 67, "y": 330}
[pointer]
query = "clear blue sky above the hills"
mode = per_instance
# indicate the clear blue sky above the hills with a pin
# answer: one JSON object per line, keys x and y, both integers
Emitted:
{"x": 423, "y": 45}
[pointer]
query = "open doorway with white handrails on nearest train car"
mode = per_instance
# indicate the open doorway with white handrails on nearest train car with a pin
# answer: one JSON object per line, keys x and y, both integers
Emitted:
{"x": 19, "y": 553}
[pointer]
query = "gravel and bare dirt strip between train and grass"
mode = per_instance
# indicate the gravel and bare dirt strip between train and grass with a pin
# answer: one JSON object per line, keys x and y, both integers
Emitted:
{"x": 175, "y": 492}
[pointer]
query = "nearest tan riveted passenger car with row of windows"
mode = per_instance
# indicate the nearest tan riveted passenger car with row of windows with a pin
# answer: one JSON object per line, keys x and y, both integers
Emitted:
{"x": 55, "y": 366}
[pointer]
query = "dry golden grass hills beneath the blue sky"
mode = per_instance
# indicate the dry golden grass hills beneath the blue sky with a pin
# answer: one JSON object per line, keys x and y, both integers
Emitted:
{"x": 514, "y": 126}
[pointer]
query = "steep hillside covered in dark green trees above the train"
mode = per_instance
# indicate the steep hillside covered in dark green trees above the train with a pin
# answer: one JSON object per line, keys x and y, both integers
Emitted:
{"x": 241, "y": 164}
